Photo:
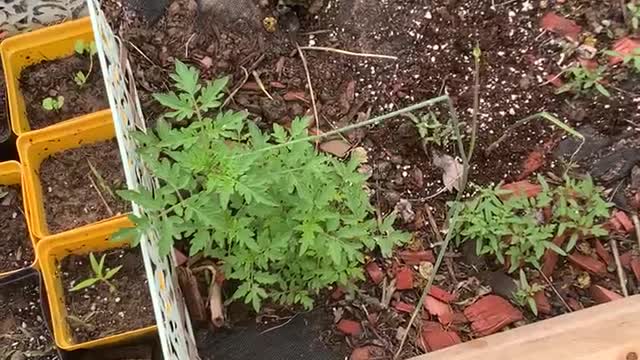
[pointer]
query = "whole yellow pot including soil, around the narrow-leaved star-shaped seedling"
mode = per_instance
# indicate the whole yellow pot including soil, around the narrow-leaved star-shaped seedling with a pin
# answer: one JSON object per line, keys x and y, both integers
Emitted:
{"x": 57, "y": 254}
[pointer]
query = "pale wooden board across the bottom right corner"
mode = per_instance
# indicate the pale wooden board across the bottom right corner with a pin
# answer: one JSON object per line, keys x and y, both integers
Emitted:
{"x": 605, "y": 332}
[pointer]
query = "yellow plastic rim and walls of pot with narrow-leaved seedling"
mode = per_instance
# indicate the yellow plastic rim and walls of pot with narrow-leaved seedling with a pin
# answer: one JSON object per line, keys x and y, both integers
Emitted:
{"x": 51, "y": 251}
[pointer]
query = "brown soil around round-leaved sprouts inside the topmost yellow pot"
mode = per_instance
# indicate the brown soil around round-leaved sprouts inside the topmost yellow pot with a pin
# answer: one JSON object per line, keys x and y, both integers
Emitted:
{"x": 55, "y": 78}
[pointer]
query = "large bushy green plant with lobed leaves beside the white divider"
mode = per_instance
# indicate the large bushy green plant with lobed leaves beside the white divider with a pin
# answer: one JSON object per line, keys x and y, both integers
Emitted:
{"x": 282, "y": 219}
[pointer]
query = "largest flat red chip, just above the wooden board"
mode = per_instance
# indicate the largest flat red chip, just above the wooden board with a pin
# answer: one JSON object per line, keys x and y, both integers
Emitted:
{"x": 490, "y": 314}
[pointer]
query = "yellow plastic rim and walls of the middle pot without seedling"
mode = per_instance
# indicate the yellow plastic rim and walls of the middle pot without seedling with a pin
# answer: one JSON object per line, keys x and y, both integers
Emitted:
{"x": 36, "y": 146}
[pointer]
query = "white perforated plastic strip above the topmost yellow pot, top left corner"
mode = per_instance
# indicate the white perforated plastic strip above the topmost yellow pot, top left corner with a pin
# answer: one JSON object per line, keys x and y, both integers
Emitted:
{"x": 22, "y": 15}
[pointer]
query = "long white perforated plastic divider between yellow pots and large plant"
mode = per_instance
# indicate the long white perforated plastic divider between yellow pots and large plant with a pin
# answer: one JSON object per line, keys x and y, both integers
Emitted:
{"x": 174, "y": 326}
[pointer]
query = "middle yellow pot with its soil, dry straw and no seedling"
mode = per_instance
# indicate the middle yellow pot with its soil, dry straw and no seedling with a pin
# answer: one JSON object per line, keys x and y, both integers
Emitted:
{"x": 80, "y": 190}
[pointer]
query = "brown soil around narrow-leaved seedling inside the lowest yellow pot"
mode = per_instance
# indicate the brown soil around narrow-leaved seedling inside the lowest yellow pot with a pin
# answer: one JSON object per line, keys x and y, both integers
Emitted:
{"x": 96, "y": 312}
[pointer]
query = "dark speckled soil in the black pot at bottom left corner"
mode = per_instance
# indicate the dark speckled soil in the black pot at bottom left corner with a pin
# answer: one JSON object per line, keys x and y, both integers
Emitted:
{"x": 22, "y": 328}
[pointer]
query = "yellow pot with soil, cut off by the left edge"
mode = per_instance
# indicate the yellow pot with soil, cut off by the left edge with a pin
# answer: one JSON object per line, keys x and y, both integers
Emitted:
{"x": 17, "y": 246}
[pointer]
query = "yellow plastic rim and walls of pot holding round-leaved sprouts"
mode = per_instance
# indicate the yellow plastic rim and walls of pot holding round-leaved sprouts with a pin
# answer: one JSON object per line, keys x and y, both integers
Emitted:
{"x": 20, "y": 51}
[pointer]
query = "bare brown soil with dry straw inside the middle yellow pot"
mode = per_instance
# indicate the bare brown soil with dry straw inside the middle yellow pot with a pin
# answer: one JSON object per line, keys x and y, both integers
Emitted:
{"x": 70, "y": 198}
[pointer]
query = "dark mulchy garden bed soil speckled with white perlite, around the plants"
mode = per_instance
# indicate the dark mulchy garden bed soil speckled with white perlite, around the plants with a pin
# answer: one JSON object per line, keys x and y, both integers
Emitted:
{"x": 434, "y": 44}
